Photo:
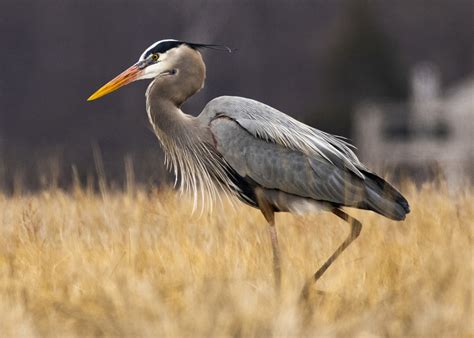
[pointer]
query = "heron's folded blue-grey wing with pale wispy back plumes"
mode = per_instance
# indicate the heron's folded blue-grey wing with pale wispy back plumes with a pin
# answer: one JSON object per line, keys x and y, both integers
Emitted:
{"x": 278, "y": 152}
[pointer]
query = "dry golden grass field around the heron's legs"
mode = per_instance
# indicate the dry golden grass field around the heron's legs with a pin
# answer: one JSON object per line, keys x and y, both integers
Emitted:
{"x": 139, "y": 263}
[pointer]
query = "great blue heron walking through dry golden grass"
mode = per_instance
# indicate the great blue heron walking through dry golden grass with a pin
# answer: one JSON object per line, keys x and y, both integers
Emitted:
{"x": 250, "y": 150}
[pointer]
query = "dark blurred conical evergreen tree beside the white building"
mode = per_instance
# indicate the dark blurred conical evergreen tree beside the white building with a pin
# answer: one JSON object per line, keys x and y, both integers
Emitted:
{"x": 362, "y": 62}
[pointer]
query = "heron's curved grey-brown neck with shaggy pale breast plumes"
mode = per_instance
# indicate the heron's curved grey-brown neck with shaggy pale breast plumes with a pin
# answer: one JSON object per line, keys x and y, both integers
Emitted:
{"x": 185, "y": 141}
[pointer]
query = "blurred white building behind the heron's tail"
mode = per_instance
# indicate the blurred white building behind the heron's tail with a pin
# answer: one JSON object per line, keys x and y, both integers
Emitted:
{"x": 433, "y": 129}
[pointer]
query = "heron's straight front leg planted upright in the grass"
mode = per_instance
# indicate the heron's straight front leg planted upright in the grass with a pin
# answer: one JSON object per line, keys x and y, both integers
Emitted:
{"x": 269, "y": 215}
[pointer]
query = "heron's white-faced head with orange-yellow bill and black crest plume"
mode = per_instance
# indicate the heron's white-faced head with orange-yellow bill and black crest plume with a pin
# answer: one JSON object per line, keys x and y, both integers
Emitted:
{"x": 161, "y": 59}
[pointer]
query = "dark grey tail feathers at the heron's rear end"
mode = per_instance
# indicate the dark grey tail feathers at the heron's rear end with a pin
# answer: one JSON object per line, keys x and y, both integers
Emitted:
{"x": 384, "y": 199}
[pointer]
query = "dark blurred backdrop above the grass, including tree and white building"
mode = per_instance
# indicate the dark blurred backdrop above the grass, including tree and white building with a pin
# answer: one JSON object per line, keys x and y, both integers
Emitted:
{"x": 394, "y": 76}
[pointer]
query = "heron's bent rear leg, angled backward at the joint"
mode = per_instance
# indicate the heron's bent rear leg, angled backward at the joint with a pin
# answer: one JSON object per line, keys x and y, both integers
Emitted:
{"x": 356, "y": 227}
